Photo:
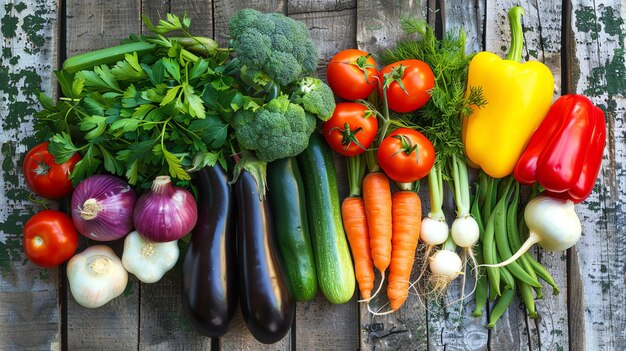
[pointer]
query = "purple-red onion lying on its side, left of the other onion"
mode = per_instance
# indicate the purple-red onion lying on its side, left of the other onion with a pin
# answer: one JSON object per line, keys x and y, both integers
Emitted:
{"x": 102, "y": 207}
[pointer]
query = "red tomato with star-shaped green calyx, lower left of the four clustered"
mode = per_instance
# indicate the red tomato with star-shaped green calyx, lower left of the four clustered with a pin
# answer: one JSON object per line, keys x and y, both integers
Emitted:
{"x": 351, "y": 129}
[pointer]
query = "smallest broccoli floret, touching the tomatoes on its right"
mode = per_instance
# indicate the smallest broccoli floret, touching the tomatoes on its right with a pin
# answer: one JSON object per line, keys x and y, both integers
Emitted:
{"x": 315, "y": 96}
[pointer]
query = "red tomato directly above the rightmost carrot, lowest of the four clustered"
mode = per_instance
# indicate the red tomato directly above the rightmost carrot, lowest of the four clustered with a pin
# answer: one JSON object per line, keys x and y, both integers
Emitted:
{"x": 406, "y": 155}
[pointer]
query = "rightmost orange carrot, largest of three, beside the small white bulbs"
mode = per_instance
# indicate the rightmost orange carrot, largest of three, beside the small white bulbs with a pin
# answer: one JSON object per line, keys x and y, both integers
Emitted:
{"x": 407, "y": 218}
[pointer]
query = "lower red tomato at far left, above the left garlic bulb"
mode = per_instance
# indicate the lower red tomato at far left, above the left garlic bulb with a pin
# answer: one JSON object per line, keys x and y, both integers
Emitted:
{"x": 50, "y": 238}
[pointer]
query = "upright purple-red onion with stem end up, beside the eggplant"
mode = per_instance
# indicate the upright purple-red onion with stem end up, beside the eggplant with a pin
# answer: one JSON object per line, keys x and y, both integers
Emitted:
{"x": 165, "y": 213}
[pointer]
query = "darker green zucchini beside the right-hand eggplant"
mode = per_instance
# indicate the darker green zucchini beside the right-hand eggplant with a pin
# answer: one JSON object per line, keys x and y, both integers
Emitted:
{"x": 291, "y": 227}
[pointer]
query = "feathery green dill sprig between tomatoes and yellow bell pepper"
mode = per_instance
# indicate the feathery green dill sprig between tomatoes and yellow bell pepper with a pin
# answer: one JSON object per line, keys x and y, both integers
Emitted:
{"x": 441, "y": 119}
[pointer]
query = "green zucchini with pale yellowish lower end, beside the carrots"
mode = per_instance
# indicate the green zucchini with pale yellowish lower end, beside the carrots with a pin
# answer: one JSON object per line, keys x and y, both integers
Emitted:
{"x": 335, "y": 272}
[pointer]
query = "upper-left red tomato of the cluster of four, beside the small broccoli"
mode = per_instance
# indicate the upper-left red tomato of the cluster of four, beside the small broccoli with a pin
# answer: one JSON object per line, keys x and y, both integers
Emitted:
{"x": 346, "y": 74}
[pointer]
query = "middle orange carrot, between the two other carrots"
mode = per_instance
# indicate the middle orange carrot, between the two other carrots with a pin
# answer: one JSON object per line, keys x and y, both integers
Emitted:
{"x": 377, "y": 199}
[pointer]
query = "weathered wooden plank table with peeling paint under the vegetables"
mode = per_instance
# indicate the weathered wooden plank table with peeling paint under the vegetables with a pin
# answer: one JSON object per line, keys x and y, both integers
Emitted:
{"x": 582, "y": 41}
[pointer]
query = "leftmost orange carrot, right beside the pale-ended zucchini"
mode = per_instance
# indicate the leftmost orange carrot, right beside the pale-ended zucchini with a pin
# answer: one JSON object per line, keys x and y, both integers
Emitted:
{"x": 355, "y": 224}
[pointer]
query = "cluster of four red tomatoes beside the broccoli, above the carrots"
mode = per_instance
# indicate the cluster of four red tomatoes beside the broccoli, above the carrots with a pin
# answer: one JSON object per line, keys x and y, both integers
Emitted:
{"x": 405, "y": 155}
